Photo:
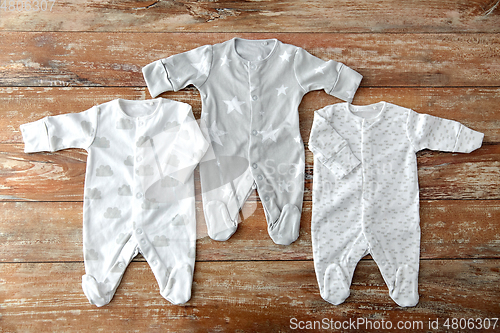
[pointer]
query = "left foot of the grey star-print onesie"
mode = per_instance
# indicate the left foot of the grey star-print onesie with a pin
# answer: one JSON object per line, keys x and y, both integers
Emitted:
{"x": 219, "y": 224}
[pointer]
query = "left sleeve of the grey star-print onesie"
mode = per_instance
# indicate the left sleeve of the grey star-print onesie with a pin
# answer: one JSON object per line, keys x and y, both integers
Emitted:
{"x": 179, "y": 71}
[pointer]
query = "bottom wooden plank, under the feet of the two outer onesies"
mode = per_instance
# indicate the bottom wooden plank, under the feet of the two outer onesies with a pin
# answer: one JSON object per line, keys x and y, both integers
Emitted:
{"x": 240, "y": 296}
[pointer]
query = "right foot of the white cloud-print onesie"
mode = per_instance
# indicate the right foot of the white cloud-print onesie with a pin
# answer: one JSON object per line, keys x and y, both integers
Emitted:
{"x": 178, "y": 288}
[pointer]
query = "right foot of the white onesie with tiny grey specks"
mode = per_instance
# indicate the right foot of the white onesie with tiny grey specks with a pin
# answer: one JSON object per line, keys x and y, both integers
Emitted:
{"x": 405, "y": 291}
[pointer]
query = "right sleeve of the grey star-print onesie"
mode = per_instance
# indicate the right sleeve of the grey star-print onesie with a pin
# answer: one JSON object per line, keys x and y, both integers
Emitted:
{"x": 333, "y": 77}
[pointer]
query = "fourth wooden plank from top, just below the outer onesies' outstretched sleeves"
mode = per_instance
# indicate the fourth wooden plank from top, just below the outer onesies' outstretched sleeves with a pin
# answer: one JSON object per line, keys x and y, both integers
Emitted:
{"x": 60, "y": 176}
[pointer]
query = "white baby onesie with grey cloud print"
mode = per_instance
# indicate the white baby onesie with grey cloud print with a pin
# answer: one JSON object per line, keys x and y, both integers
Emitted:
{"x": 139, "y": 189}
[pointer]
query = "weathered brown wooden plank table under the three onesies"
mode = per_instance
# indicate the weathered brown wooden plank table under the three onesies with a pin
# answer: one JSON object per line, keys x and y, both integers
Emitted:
{"x": 440, "y": 57}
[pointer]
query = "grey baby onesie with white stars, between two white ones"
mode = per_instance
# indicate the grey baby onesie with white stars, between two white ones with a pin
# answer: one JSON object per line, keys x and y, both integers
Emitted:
{"x": 250, "y": 91}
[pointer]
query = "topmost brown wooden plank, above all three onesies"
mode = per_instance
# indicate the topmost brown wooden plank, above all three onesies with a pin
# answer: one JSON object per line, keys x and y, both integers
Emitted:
{"x": 258, "y": 16}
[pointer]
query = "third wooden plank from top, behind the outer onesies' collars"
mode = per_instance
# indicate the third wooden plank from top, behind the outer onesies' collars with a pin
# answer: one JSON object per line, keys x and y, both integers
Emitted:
{"x": 474, "y": 107}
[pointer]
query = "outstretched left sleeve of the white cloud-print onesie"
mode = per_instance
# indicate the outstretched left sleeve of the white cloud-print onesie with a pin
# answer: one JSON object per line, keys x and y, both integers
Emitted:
{"x": 72, "y": 130}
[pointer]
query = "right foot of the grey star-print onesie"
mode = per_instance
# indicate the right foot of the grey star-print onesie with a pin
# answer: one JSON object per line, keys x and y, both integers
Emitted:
{"x": 286, "y": 229}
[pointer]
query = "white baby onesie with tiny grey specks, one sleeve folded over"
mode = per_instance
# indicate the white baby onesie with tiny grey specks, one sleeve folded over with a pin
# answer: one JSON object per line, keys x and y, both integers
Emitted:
{"x": 365, "y": 192}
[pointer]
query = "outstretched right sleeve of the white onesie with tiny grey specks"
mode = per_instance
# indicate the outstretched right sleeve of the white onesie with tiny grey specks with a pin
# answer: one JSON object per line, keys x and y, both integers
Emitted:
{"x": 429, "y": 132}
